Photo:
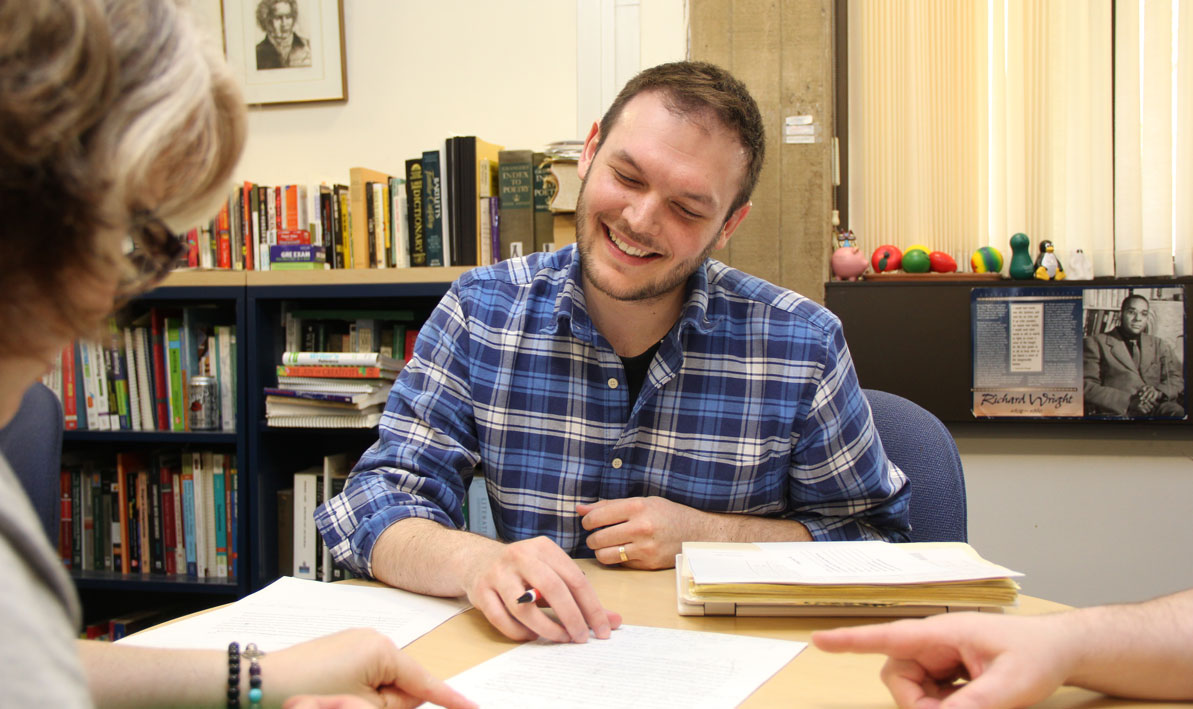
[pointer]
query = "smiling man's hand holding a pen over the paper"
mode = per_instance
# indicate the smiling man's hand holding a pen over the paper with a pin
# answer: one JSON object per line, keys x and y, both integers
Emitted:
{"x": 497, "y": 581}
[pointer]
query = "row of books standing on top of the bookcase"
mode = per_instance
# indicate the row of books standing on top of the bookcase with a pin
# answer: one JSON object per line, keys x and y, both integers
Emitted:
{"x": 467, "y": 202}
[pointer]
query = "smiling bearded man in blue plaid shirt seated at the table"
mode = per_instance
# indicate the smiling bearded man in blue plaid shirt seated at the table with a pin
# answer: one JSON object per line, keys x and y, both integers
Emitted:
{"x": 623, "y": 396}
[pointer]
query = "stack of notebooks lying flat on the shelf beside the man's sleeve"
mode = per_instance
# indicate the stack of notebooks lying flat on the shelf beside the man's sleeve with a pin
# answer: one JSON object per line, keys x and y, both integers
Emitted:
{"x": 331, "y": 390}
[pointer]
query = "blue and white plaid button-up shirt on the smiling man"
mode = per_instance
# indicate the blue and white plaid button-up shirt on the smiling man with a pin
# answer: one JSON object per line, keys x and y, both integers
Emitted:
{"x": 751, "y": 406}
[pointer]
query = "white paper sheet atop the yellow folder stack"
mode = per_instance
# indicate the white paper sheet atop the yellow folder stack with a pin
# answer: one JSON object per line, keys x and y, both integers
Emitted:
{"x": 837, "y": 563}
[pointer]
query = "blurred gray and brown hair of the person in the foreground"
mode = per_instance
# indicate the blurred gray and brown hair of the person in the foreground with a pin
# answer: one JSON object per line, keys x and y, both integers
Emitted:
{"x": 107, "y": 108}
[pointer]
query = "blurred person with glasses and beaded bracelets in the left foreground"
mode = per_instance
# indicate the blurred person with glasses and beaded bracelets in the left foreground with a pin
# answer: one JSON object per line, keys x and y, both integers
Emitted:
{"x": 120, "y": 125}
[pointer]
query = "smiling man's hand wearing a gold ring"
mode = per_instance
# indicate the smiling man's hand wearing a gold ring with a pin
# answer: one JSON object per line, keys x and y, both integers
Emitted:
{"x": 652, "y": 531}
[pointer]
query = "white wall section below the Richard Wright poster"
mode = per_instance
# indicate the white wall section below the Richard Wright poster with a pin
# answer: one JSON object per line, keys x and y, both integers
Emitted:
{"x": 1089, "y": 520}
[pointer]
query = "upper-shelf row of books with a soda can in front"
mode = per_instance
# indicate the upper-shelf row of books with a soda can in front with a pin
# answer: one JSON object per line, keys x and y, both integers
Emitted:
{"x": 139, "y": 378}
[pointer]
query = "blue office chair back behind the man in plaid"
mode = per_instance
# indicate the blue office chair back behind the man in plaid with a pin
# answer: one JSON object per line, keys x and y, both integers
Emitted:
{"x": 923, "y": 448}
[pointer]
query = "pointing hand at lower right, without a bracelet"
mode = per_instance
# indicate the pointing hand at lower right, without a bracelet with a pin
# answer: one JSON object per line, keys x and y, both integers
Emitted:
{"x": 1010, "y": 662}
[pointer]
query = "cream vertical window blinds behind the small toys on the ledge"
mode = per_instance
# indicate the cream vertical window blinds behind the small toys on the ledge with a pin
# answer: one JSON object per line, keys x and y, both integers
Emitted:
{"x": 1067, "y": 120}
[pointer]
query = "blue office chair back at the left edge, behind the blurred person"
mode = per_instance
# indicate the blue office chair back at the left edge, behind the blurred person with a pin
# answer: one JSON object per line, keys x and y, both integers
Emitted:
{"x": 33, "y": 446}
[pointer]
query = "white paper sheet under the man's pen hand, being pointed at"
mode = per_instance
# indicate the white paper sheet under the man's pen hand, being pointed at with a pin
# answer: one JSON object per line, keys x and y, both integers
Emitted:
{"x": 636, "y": 668}
